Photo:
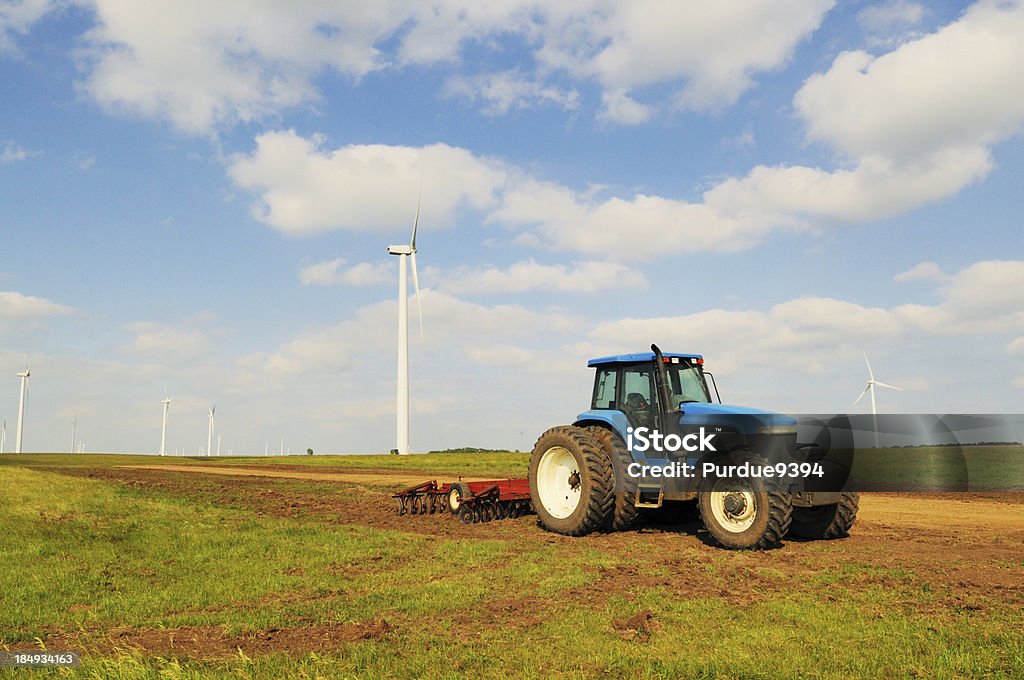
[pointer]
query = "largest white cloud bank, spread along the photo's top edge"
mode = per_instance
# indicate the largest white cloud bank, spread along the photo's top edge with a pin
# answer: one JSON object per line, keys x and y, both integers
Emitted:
{"x": 206, "y": 67}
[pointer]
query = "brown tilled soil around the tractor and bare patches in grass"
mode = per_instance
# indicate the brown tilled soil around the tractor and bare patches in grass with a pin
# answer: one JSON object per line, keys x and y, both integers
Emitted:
{"x": 938, "y": 555}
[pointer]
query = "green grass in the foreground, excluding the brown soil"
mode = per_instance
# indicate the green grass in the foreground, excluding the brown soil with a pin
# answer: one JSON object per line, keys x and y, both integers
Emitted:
{"x": 84, "y": 557}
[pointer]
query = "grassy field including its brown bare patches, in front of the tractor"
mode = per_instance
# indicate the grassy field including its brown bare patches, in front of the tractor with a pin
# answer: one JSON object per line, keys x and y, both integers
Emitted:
{"x": 181, "y": 576}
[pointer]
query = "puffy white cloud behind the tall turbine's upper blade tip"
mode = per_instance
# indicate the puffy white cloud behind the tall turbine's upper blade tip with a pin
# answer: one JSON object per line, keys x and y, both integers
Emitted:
{"x": 306, "y": 190}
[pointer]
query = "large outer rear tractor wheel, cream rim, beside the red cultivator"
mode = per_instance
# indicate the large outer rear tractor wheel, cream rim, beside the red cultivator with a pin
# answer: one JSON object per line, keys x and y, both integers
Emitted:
{"x": 571, "y": 482}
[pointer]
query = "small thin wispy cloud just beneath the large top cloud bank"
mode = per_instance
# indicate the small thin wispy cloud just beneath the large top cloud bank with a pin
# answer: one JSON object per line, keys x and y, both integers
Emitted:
{"x": 509, "y": 91}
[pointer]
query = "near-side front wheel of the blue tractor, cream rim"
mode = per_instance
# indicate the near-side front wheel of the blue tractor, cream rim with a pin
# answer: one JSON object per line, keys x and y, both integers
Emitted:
{"x": 745, "y": 513}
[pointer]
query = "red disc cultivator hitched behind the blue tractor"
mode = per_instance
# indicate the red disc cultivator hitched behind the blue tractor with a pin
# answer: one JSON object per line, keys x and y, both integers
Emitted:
{"x": 472, "y": 501}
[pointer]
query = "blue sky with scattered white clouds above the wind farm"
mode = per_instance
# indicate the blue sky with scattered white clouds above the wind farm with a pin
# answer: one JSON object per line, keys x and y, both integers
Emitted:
{"x": 201, "y": 196}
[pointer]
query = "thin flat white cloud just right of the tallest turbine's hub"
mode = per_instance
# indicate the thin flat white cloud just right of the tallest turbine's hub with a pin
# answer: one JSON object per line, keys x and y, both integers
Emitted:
{"x": 531, "y": 276}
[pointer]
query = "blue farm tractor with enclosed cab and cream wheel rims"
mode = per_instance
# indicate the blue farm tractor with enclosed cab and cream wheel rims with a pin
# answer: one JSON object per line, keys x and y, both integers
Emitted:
{"x": 654, "y": 435}
